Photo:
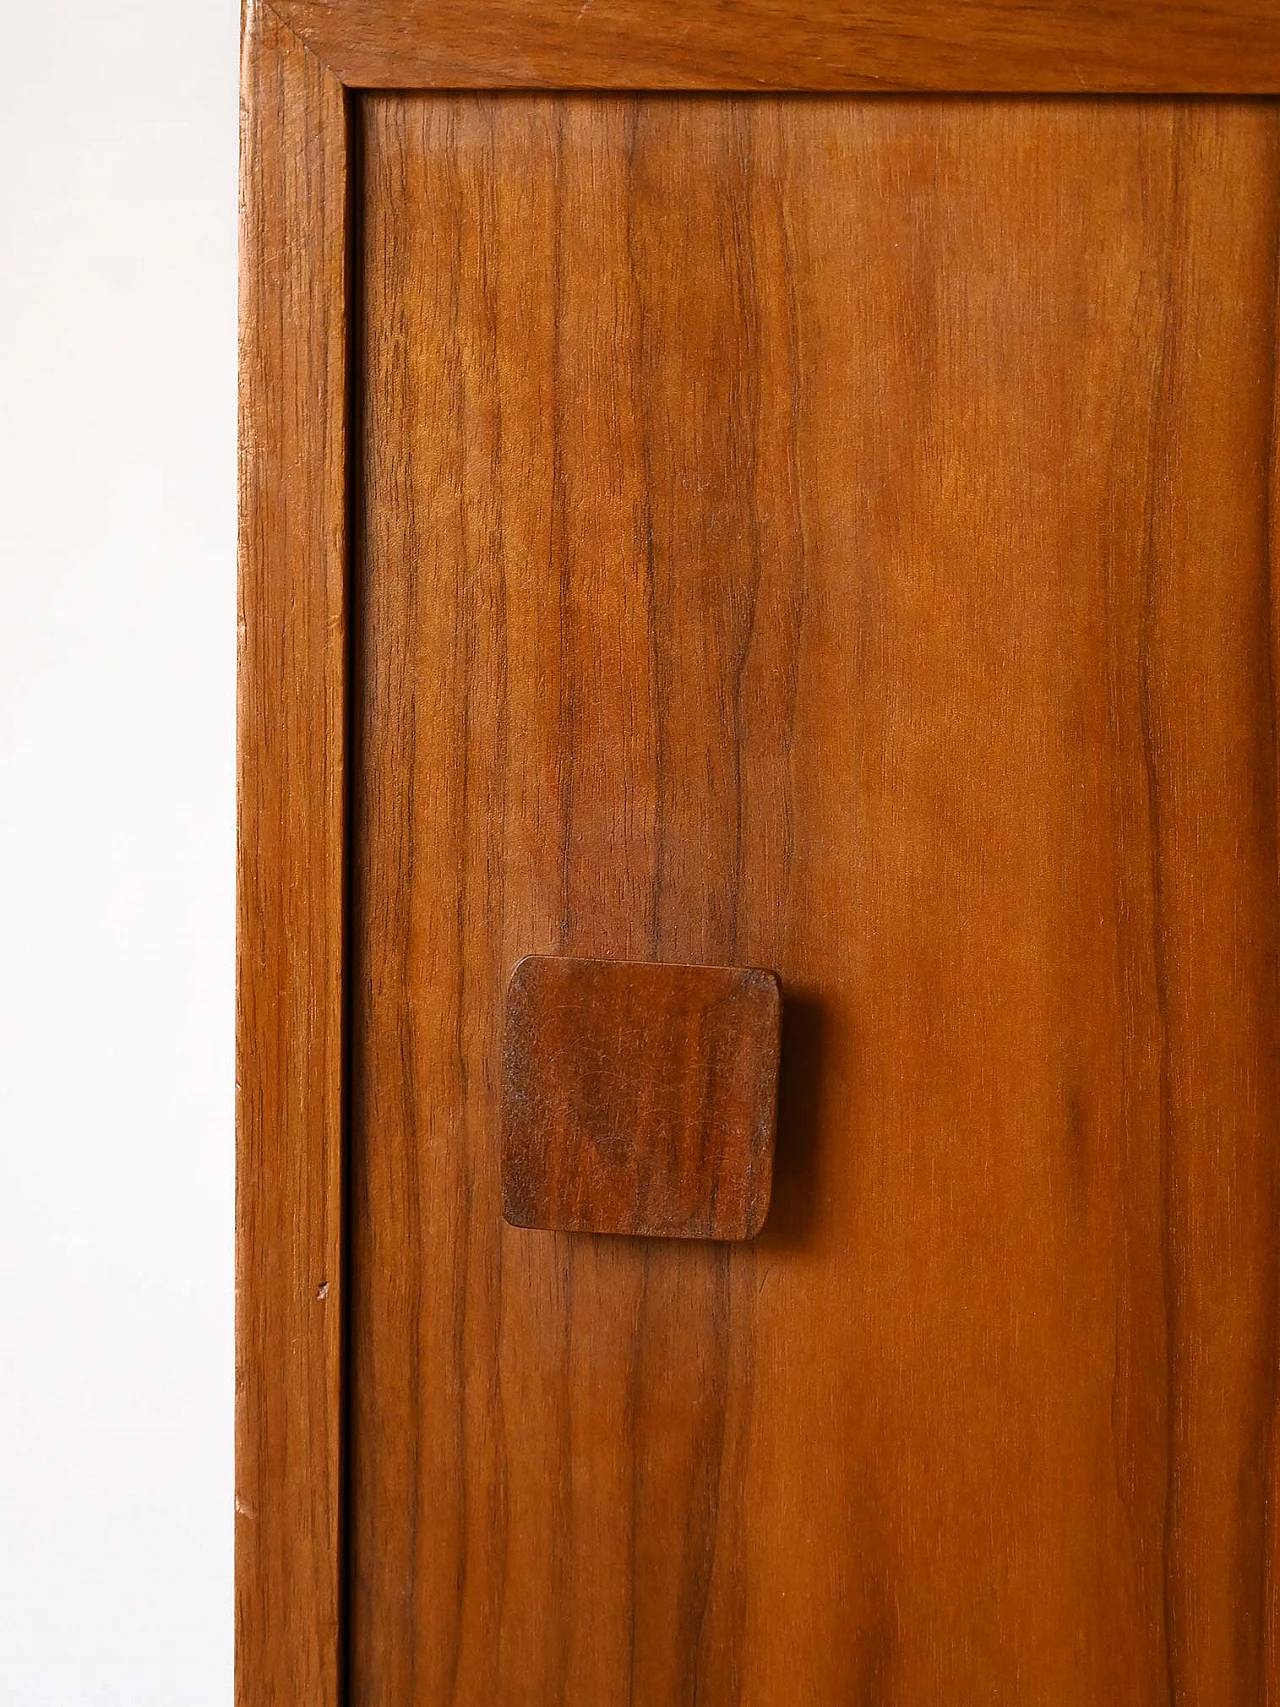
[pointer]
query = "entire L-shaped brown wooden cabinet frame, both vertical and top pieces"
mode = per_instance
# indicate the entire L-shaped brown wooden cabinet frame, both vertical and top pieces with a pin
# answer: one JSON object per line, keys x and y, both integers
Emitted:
{"x": 301, "y": 71}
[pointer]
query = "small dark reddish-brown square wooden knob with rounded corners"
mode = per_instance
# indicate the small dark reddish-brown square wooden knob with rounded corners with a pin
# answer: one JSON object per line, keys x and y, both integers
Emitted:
{"x": 639, "y": 1098}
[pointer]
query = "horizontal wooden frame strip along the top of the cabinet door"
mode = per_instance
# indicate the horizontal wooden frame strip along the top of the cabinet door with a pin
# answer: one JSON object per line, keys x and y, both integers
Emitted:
{"x": 1069, "y": 47}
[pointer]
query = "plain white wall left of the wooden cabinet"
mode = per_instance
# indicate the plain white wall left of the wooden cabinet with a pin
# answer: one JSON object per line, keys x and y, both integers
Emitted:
{"x": 117, "y": 827}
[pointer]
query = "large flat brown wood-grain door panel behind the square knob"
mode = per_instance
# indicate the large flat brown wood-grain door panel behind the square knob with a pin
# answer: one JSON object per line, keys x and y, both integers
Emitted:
{"x": 835, "y": 537}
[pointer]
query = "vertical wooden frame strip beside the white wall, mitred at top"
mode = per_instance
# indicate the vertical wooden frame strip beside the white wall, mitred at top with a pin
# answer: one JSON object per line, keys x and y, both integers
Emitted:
{"x": 291, "y": 873}
